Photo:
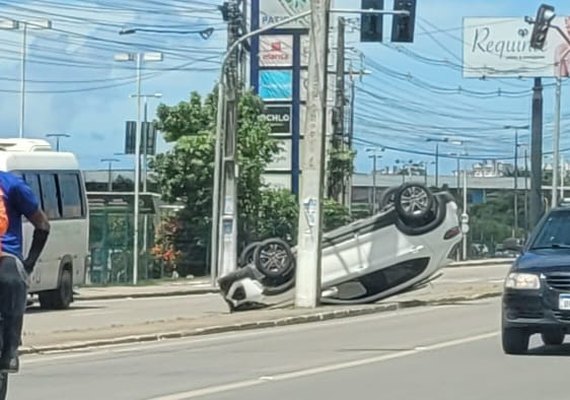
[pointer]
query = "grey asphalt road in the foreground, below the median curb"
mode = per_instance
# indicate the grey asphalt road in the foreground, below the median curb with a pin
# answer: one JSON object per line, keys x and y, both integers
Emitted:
{"x": 434, "y": 353}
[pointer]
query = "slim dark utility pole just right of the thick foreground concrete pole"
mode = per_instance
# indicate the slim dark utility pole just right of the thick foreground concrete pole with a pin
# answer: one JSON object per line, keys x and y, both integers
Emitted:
{"x": 338, "y": 121}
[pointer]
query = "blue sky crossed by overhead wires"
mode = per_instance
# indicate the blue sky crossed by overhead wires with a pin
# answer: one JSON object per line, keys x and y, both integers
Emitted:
{"x": 414, "y": 91}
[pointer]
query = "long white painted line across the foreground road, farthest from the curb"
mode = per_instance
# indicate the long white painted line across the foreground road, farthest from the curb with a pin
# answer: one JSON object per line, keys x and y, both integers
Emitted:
{"x": 192, "y": 394}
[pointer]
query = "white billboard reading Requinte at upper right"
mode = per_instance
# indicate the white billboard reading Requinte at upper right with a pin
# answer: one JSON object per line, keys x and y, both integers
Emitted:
{"x": 500, "y": 47}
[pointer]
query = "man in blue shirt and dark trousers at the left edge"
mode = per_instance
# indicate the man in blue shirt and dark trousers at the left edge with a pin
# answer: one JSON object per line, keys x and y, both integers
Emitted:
{"x": 19, "y": 200}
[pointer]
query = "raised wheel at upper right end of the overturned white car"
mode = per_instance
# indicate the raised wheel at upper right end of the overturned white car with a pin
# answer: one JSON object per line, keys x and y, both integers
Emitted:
{"x": 413, "y": 202}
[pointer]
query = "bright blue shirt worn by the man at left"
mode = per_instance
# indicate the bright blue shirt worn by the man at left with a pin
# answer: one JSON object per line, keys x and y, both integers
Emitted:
{"x": 19, "y": 200}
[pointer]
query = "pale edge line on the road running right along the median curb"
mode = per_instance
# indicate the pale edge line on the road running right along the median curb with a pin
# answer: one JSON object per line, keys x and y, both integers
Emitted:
{"x": 229, "y": 336}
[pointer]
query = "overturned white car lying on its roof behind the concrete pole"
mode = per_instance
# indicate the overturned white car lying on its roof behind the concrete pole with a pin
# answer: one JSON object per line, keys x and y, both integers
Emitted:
{"x": 400, "y": 248}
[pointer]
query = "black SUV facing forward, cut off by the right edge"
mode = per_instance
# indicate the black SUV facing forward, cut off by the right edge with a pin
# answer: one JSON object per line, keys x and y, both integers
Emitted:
{"x": 536, "y": 298}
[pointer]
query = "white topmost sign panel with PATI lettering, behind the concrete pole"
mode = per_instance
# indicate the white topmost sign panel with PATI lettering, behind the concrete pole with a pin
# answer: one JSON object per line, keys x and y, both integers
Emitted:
{"x": 272, "y": 11}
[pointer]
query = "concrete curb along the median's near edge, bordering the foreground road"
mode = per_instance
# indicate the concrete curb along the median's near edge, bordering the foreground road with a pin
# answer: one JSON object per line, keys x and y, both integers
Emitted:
{"x": 294, "y": 320}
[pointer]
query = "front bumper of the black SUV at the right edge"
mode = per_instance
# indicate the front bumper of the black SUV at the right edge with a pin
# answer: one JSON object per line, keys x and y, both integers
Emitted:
{"x": 533, "y": 310}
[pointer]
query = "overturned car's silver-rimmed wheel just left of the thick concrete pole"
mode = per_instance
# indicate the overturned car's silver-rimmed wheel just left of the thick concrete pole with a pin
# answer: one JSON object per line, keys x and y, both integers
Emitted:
{"x": 274, "y": 258}
